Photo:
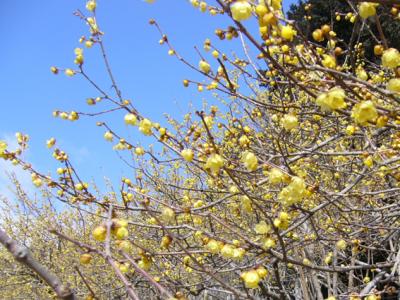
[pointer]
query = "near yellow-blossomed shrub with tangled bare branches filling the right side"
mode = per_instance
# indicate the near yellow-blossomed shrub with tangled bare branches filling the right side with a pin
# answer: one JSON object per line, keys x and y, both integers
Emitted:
{"x": 288, "y": 189}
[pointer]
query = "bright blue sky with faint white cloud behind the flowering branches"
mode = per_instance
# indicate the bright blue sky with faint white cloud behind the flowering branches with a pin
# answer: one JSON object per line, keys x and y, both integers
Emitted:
{"x": 39, "y": 34}
